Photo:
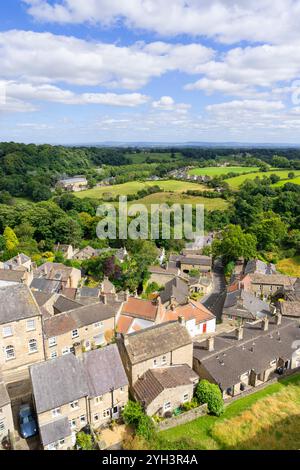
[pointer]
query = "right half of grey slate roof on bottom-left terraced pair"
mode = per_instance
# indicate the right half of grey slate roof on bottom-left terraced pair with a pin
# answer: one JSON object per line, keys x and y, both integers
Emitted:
{"x": 105, "y": 370}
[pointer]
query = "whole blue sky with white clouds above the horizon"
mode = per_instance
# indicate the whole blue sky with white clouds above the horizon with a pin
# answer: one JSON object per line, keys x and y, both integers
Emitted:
{"x": 92, "y": 71}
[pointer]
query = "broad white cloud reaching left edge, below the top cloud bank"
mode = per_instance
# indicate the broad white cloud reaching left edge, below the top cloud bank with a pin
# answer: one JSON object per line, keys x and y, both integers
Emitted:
{"x": 48, "y": 58}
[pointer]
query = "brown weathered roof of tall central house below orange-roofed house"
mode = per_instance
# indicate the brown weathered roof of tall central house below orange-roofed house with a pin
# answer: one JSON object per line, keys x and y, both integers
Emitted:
{"x": 155, "y": 341}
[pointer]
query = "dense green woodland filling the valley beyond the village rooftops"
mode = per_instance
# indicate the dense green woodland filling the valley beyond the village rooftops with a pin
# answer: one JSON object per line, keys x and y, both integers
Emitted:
{"x": 261, "y": 220}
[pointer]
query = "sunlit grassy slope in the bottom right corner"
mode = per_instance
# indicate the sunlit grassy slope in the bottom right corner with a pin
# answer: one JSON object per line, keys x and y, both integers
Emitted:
{"x": 268, "y": 419}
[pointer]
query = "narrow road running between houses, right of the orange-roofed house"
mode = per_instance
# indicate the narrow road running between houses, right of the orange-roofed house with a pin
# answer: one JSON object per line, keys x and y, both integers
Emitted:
{"x": 215, "y": 300}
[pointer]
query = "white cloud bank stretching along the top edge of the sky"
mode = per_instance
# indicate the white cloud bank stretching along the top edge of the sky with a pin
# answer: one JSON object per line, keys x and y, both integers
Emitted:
{"x": 252, "y": 20}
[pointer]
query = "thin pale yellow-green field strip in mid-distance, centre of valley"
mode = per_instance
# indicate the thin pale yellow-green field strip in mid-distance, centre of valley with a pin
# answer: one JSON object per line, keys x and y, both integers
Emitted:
{"x": 133, "y": 187}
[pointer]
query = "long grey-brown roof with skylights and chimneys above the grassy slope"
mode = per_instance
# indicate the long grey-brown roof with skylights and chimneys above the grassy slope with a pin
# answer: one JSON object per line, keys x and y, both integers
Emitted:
{"x": 232, "y": 358}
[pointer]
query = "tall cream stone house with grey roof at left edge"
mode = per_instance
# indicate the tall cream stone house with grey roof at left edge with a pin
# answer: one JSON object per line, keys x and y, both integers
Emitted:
{"x": 21, "y": 337}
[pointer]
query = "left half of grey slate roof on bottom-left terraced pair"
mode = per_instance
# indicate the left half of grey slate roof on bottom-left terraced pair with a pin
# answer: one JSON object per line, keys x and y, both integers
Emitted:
{"x": 58, "y": 382}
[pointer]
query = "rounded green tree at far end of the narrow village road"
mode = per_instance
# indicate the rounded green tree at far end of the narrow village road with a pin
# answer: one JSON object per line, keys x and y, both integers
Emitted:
{"x": 235, "y": 243}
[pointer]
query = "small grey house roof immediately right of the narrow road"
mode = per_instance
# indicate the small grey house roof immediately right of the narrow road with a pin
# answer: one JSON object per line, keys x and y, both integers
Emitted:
{"x": 240, "y": 303}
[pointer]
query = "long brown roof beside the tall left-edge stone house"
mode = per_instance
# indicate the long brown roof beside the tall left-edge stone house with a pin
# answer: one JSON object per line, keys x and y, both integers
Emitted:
{"x": 82, "y": 316}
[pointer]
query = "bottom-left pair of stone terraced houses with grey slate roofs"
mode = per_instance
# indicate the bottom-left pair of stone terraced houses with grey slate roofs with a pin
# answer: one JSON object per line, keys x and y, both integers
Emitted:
{"x": 71, "y": 392}
